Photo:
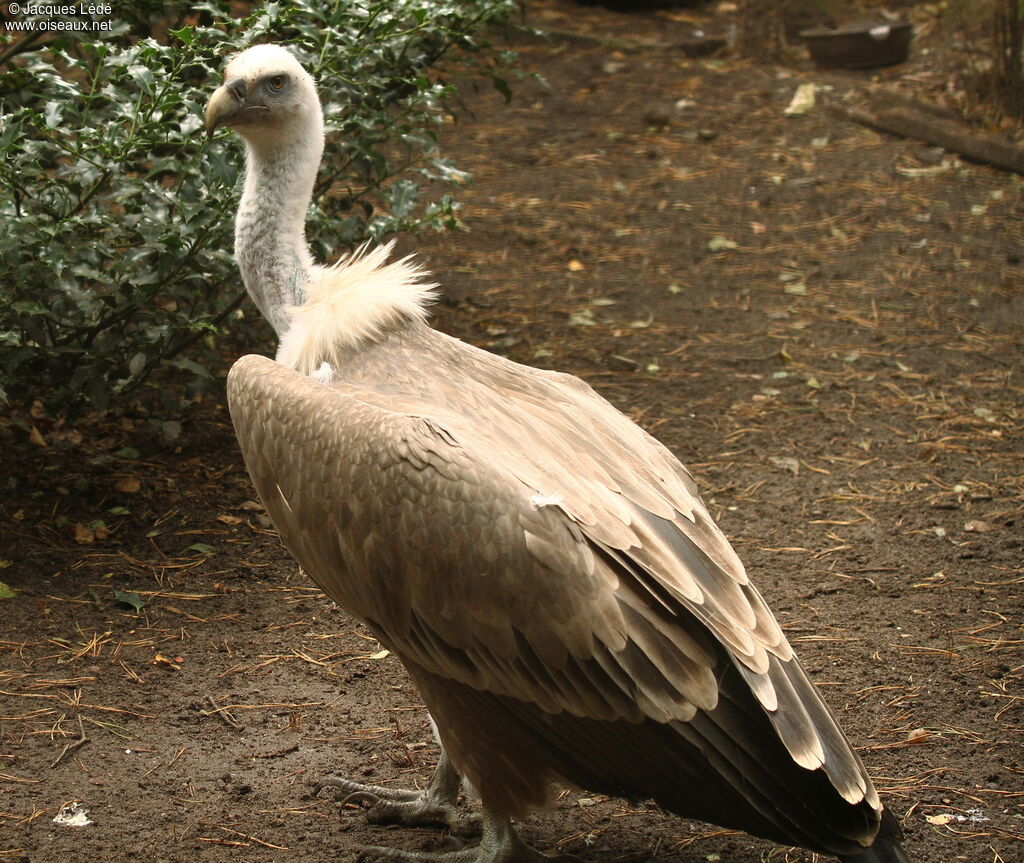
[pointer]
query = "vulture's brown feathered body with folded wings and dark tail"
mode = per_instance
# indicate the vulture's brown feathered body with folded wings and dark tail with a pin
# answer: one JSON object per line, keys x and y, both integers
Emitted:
{"x": 551, "y": 579}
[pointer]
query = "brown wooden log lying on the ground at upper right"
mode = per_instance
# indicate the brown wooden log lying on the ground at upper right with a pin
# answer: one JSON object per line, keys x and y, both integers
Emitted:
{"x": 959, "y": 138}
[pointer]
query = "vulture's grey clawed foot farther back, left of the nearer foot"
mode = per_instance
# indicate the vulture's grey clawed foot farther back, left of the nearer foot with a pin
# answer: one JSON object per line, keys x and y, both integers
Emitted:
{"x": 437, "y": 806}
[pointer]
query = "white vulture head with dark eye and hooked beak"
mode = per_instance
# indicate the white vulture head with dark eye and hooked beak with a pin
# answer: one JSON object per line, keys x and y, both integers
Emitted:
{"x": 269, "y": 99}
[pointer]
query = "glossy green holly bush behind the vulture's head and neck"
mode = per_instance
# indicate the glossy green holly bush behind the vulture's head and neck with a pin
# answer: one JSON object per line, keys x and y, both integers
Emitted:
{"x": 115, "y": 256}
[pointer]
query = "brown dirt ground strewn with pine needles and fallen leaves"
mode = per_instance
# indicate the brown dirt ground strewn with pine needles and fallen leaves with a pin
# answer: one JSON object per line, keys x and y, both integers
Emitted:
{"x": 826, "y": 324}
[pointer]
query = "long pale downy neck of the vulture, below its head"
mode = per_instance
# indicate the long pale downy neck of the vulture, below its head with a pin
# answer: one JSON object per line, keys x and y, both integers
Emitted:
{"x": 270, "y": 230}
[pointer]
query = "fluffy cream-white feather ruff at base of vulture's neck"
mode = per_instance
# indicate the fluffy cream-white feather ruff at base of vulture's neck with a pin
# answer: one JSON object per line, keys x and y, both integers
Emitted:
{"x": 357, "y": 300}
